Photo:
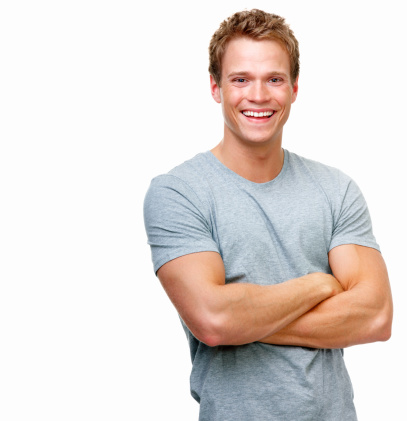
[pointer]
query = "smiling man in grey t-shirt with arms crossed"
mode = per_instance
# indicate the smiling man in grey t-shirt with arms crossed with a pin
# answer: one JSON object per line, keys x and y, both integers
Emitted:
{"x": 268, "y": 257}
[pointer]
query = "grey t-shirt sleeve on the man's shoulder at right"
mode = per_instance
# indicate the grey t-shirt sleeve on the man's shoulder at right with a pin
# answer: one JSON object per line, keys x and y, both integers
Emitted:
{"x": 352, "y": 223}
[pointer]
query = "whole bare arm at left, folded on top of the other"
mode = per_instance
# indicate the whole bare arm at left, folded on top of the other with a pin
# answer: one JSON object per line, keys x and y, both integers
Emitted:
{"x": 234, "y": 314}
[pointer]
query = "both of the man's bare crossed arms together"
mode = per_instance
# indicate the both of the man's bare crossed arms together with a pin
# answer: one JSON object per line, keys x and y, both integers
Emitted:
{"x": 317, "y": 310}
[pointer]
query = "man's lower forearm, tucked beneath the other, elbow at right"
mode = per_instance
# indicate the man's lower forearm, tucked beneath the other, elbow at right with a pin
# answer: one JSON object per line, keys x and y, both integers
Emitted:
{"x": 351, "y": 318}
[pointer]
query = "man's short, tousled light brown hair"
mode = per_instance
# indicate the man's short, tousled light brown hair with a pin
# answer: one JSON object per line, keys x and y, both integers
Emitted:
{"x": 258, "y": 25}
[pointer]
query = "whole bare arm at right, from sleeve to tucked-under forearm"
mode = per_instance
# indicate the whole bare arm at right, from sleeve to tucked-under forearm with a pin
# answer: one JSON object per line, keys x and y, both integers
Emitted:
{"x": 361, "y": 314}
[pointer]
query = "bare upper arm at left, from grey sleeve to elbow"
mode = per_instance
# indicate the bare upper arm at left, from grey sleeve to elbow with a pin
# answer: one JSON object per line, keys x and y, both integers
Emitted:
{"x": 190, "y": 282}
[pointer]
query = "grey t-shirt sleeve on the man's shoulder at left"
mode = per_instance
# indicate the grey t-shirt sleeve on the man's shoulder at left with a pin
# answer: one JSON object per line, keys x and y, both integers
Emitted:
{"x": 176, "y": 221}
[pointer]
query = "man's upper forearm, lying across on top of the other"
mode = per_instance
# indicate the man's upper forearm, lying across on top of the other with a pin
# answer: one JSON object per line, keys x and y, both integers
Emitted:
{"x": 246, "y": 312}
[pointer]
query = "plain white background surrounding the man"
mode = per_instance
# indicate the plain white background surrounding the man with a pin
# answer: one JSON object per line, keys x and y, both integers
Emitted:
{"x": 97, "y": 97}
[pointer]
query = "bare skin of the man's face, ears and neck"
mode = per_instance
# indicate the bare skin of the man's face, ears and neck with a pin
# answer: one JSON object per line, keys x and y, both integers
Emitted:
{"x": 255, "y": 76}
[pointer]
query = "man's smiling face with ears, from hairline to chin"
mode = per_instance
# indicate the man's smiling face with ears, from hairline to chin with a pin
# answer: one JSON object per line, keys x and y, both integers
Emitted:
{"x": 256, "y": 91}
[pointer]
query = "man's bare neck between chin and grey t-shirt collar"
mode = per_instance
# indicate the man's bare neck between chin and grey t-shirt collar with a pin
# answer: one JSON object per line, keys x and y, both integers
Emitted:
{"x": 258, "y": 163}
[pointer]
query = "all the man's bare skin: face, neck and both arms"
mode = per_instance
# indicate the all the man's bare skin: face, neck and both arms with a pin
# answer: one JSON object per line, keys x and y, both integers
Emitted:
{"x": 318, "y": 310}
